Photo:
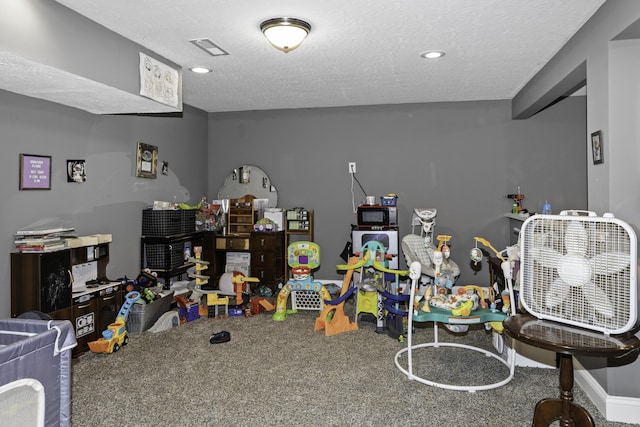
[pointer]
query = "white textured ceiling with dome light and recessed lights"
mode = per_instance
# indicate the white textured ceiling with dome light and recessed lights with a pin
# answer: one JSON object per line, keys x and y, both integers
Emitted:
{"x": 358, "y": 52}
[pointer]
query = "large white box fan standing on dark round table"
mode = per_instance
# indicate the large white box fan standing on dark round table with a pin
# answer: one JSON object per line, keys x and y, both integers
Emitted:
{"x": 580, "y": 269}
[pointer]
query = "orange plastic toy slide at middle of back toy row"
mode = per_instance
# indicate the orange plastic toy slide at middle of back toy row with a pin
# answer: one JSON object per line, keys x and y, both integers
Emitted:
{"x": 332, "y": 318}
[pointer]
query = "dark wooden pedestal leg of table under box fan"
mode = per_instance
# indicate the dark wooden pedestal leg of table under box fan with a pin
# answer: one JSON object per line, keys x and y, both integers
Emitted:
{"x": 563, "y": 409}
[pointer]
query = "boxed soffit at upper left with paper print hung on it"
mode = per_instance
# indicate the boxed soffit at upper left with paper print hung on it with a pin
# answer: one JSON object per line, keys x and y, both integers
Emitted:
{"x": 50, "y": 52}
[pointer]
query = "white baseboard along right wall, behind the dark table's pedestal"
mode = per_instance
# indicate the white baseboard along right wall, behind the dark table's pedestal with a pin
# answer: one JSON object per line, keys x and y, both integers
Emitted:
{"x": 614, "y": 408}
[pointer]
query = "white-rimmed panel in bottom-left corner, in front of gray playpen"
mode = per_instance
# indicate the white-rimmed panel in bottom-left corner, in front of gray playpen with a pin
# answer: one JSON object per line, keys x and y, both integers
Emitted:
{"x": 22, "y": 403}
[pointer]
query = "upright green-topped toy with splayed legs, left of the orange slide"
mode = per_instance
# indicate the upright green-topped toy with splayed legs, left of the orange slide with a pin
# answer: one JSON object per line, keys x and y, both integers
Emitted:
{"x": 302, "y": 257}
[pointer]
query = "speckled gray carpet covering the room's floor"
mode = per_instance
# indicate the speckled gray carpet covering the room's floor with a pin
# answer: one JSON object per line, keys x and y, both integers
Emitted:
{"x": 285, "y": 374}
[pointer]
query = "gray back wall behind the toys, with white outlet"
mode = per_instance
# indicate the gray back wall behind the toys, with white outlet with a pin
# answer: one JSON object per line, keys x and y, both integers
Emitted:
{"x": 461, "y": 158}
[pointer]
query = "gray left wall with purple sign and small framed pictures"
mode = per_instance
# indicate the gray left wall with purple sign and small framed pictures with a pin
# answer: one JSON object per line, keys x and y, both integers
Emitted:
{"x": 111, "y": 199}
